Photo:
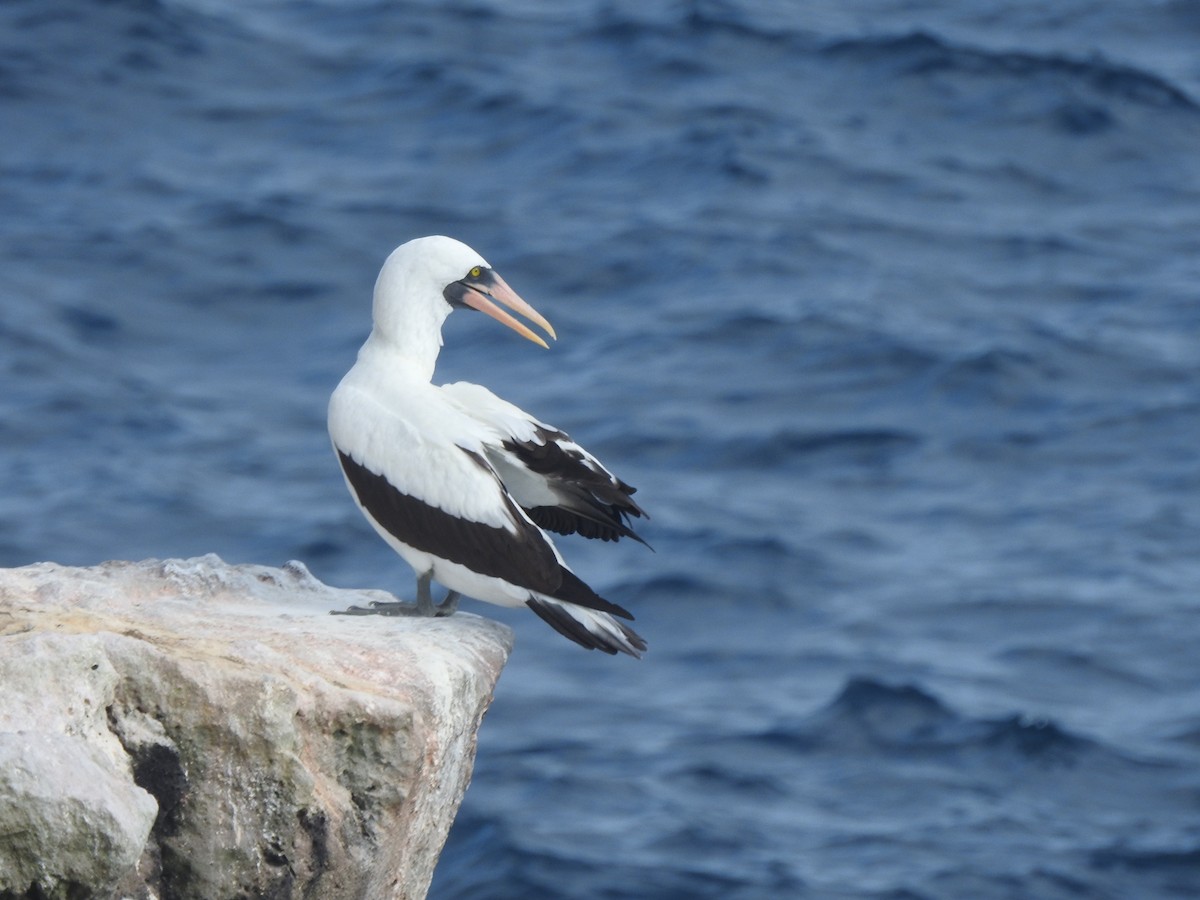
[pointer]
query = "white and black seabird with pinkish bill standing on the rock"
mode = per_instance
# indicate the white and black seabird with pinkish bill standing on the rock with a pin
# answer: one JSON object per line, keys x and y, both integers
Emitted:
{"x": 460, "y": 483}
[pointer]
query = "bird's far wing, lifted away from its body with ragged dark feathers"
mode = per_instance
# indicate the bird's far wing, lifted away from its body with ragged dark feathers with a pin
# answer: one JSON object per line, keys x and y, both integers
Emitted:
{"x": 560, "y": 485}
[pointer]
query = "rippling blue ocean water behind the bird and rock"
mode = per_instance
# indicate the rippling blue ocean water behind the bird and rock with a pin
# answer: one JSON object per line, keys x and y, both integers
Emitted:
{"x": 890, "y": 309}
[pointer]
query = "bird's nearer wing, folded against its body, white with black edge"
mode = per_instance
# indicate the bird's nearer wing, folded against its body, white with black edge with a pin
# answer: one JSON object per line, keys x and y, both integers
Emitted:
{"x": 424, "y": 478}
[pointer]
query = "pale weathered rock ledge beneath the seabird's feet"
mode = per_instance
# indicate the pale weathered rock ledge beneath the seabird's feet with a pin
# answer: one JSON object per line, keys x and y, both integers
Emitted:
{"x": 188, "y": 729}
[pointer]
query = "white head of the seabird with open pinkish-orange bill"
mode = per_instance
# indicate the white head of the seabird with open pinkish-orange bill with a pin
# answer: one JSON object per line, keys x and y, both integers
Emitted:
{"x": 443, "y": 275}
